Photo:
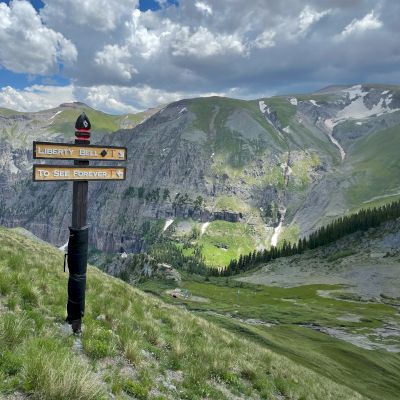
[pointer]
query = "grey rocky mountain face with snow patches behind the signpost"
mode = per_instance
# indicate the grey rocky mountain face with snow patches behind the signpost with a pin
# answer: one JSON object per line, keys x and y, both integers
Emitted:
{"x": 231, "y": 175}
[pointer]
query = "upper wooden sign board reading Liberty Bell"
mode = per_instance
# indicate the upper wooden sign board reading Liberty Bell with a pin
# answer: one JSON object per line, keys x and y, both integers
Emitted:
{"x": 64, "y": 151}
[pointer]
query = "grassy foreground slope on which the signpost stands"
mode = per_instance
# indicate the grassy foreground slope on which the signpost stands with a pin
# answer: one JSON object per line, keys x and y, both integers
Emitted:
{"x": 132, "y": 344}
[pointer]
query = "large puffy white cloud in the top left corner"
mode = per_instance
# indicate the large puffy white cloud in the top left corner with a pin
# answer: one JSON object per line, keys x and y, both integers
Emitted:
{"x": 28, "y": 46}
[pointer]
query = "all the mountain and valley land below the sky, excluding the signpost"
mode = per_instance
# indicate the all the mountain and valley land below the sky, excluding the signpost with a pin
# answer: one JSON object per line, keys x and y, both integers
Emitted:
{"x": 208, "y": 180}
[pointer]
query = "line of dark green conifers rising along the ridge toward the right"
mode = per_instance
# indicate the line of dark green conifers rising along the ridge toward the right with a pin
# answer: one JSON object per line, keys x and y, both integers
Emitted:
{"x": 361, "y": 221}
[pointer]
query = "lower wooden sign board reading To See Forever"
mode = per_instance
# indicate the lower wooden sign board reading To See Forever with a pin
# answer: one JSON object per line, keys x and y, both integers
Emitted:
{"x": 49, "y": 173}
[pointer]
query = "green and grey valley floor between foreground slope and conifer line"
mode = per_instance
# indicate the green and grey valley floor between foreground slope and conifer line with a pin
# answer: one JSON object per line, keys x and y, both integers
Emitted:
{"x": 334, "y": 309}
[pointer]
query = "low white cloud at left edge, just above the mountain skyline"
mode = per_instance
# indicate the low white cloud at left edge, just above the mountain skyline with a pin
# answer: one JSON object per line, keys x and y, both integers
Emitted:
{"x": 36, "y": 97}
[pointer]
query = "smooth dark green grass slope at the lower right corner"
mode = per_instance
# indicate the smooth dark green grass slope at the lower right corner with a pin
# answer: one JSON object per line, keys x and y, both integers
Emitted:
{"x": 372, "y": 373}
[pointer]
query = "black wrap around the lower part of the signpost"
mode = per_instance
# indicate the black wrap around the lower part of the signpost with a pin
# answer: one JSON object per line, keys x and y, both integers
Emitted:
{"x": 77, "y": 265}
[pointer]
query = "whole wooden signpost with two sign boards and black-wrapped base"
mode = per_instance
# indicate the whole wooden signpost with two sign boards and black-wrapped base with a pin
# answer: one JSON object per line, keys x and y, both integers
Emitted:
{"x": 80, "y": 173}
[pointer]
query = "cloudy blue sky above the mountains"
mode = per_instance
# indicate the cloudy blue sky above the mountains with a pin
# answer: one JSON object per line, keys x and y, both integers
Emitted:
{"x": 123, "y": 56}
